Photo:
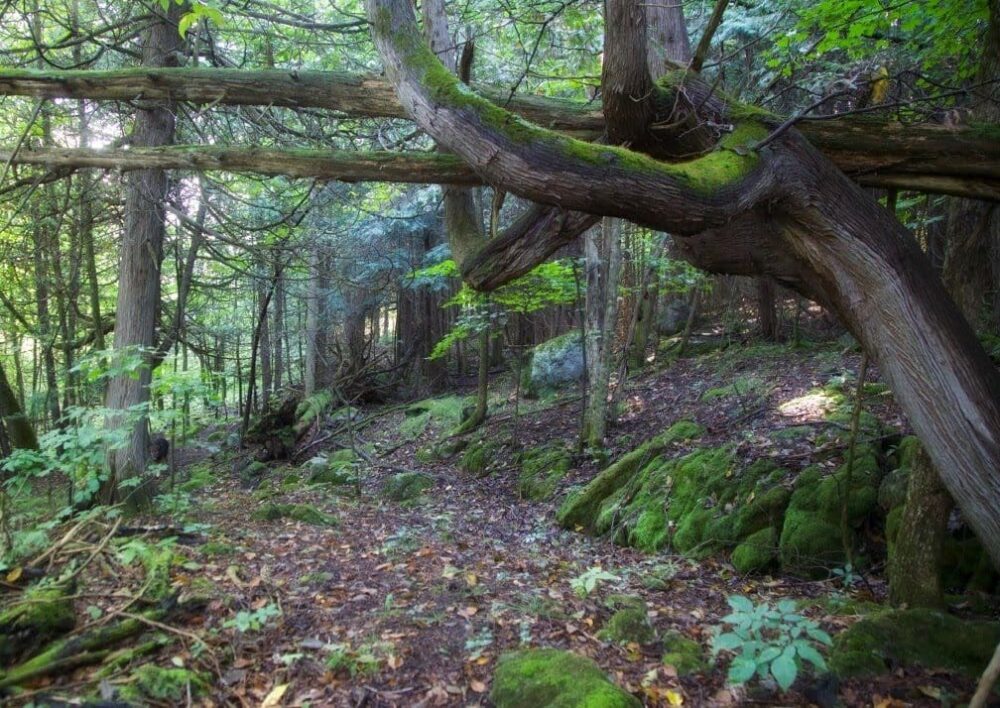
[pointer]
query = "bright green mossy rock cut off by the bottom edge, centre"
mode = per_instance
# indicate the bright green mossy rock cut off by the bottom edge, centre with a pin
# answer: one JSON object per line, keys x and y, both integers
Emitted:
{"x": 549, "y": 678}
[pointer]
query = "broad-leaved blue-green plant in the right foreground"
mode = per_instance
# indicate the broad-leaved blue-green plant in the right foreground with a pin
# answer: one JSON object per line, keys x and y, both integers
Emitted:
{"x": 766, "y": 640}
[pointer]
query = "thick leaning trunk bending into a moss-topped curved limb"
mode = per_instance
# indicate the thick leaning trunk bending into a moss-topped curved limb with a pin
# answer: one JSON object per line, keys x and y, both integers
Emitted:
{"x": 781, "y": 210}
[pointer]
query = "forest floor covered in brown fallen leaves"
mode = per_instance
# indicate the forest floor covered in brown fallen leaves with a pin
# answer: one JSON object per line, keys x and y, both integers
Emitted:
{"x": 411, "y": 604}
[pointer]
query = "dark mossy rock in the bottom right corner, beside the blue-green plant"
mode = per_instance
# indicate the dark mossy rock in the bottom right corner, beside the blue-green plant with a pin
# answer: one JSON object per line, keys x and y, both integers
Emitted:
{"x": 878, "y": 643}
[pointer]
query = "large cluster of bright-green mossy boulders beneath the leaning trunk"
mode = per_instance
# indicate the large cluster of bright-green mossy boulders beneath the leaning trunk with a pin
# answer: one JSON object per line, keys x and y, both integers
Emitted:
{"x": 702, "y": 500}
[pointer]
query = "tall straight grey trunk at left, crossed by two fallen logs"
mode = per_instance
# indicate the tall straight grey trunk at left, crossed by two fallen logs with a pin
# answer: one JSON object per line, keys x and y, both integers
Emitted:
{"x": 141, "y": 259}
